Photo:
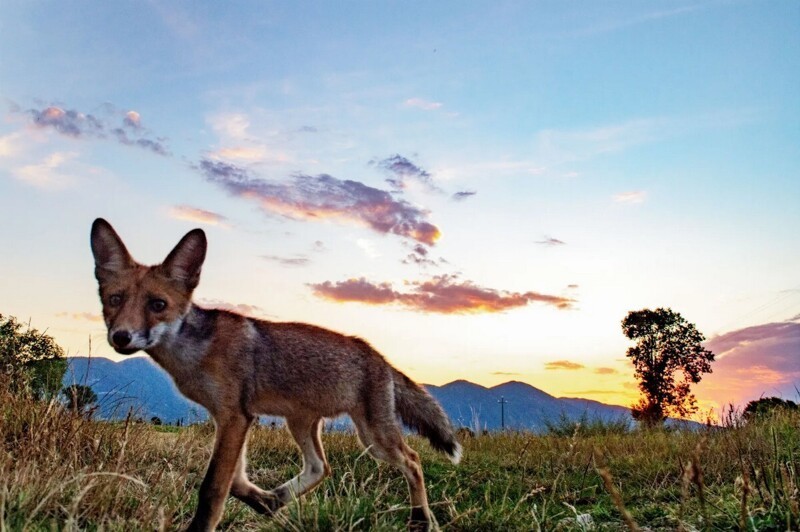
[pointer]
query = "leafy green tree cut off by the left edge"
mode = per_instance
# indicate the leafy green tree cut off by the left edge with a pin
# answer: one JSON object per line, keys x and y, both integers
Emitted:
{"x": 33, "y": 360}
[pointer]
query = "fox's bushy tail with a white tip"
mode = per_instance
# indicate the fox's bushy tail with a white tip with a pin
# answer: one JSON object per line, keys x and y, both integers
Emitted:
{"x": 420, "y": 412}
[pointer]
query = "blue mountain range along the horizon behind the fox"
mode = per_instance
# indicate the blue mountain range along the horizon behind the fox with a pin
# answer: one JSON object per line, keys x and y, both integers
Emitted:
{"x": 140, "y": 384}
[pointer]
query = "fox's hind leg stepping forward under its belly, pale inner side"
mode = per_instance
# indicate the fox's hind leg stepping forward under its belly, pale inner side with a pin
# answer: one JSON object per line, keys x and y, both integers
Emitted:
{"x": 306, "y": 432}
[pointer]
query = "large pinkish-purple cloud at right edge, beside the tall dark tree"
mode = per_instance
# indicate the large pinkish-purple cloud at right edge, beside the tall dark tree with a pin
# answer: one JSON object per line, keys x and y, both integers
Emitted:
{"x": 753, "y": 362}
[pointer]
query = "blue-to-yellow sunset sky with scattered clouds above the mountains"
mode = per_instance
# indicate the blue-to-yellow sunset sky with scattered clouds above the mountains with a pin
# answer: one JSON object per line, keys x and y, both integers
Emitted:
{"x": 482, "y": 190}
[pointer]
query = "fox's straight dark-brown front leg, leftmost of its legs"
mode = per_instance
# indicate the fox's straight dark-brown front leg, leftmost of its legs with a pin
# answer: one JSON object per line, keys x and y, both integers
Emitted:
{"x": 230, "y": 438}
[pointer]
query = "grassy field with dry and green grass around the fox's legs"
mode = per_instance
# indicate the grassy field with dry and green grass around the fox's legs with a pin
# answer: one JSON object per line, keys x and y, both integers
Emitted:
{"x": 63, "y": 472}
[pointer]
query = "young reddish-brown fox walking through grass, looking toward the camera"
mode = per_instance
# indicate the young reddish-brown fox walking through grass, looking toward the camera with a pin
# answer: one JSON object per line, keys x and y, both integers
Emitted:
{"x": 239, "y": 367}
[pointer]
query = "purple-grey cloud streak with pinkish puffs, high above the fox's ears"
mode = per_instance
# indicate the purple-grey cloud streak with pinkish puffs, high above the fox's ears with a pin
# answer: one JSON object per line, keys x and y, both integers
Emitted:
{"x": 75, "y": 124}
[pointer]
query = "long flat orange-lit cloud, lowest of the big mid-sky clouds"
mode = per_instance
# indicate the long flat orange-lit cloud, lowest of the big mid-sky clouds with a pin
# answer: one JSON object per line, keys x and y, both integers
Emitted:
{"x": 443, "y": 294}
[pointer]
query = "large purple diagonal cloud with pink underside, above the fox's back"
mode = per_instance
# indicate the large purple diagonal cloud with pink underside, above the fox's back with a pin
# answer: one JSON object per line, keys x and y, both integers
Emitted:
{"x": 324, "y": 197}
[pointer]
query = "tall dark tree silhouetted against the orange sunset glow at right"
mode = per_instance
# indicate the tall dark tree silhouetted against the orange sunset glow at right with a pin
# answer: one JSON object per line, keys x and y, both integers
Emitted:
{"x": 668, "y": 357}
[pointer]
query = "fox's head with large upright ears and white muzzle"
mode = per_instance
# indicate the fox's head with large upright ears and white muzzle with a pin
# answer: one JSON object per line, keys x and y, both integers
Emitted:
{"x": 144, "y": 304}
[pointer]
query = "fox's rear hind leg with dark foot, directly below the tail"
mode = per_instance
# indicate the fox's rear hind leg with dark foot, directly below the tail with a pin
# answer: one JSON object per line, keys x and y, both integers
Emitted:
{"x": 382, "y": 436}
